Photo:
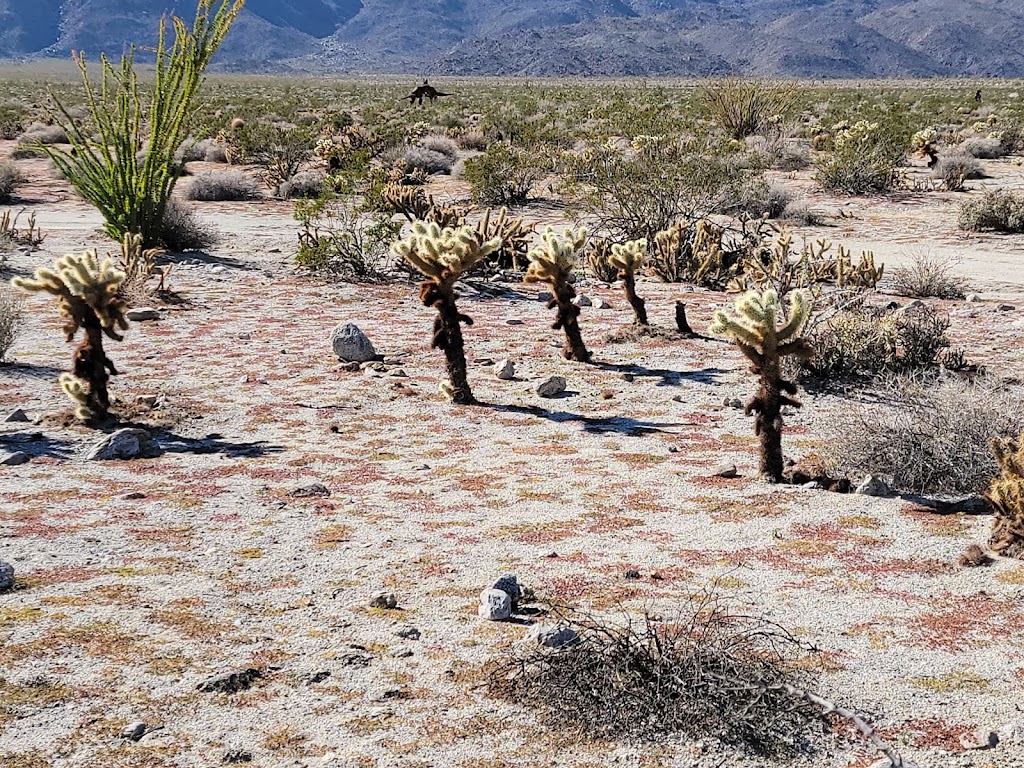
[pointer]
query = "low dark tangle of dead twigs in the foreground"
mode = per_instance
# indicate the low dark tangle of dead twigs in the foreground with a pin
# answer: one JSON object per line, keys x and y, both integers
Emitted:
{"x": 706, "y": 672}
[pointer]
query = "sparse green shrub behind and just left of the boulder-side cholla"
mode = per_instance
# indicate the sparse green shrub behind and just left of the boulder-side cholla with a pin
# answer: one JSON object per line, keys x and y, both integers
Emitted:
{"x": 340, "y": 239}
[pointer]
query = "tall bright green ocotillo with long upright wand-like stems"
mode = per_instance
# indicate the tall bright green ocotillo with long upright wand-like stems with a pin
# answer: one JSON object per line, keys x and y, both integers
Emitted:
{"x": 131, "y": 194}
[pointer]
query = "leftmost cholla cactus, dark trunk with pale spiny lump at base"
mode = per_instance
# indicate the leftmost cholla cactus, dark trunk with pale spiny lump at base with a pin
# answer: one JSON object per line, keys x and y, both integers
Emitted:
{"x": 88, "y": 291}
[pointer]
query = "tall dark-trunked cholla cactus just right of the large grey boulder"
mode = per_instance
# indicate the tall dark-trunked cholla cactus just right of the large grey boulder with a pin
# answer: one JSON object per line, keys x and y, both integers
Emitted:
{"x": 443, "y": 257}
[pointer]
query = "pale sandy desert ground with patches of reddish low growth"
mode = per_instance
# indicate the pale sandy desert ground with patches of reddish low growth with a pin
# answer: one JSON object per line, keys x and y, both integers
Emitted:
{"x": 291, "y": 490}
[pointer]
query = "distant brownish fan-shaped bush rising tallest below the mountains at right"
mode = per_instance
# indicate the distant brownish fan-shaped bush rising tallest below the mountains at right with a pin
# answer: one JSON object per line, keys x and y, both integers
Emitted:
{"x": 744, "y": 108}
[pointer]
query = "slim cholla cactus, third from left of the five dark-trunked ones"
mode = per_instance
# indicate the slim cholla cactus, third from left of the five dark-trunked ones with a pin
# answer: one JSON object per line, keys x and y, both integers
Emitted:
{"x": 553, "y": 263}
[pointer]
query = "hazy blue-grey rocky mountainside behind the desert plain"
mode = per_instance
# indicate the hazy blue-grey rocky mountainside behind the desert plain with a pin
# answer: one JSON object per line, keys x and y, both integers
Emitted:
{"x": 802, "y": 38}
